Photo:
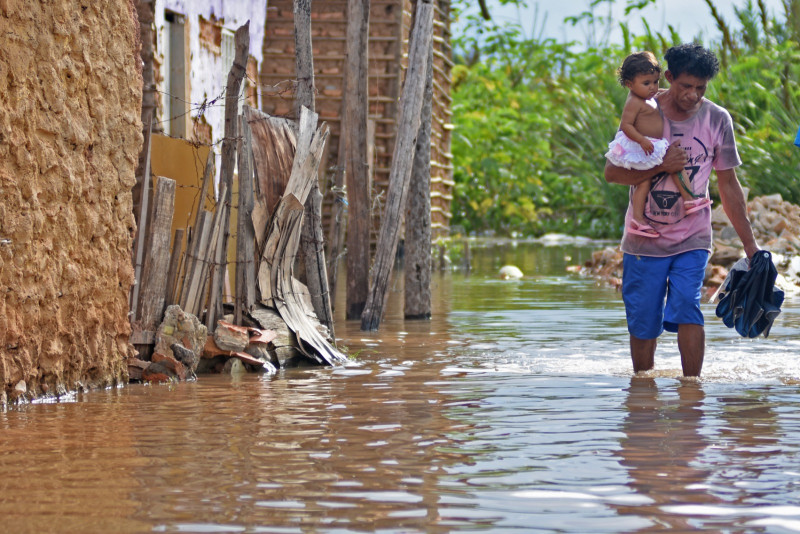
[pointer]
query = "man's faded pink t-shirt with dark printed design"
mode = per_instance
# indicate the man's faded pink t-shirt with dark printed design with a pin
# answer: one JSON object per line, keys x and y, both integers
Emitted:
{"x": 707, "y": 137}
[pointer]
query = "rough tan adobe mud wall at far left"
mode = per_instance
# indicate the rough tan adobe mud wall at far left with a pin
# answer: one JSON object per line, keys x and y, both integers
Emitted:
{"x": 70, "y": 133}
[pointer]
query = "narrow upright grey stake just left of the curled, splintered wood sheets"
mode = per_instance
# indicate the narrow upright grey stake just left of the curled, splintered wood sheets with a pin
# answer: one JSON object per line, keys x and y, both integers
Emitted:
{"x": 245, "y": 243}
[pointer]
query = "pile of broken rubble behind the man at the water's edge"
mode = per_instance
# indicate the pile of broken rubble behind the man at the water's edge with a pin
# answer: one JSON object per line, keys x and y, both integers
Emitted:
{"x": 775, "y": 223}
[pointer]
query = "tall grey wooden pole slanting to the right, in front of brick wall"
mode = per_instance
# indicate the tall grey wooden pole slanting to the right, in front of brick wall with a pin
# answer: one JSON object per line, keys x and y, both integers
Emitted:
{"x": 400, "y": 173}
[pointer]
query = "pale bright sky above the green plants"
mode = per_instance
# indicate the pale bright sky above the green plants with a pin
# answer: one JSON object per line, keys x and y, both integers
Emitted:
{"x": 689, "y": 17}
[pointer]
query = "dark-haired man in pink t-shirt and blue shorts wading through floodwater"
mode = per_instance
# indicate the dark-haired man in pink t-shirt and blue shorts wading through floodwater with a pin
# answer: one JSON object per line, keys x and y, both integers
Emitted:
{"x": 662, "y": 276}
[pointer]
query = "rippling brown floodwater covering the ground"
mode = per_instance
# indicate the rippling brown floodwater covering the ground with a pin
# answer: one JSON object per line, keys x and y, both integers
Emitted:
{"x": 513, "y": 409}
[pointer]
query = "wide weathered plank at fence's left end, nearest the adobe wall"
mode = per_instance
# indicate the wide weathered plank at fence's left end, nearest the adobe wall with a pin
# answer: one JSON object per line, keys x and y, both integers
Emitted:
{"x": 154, "y": 283}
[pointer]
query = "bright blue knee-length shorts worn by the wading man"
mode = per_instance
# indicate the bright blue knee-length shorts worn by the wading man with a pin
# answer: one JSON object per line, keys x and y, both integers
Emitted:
{"x": 647, "y": 281}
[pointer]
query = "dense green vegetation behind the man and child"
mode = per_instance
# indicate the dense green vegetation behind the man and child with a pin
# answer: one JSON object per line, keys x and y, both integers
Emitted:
{"x": 534, "y": 116}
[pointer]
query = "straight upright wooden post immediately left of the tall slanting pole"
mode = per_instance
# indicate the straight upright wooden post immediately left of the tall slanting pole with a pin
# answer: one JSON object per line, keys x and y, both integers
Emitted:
{"x": 357, "y": 177}
